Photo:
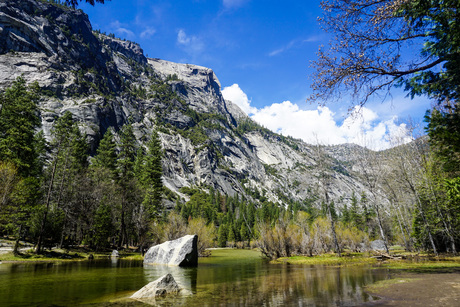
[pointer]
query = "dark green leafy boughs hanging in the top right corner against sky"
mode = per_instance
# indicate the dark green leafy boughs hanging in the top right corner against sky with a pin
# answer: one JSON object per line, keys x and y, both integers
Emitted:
{"x": 438, "y": 20}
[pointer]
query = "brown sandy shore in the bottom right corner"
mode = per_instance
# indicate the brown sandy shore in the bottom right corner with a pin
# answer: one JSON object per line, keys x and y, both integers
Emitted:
{"x": 418, "y": 289}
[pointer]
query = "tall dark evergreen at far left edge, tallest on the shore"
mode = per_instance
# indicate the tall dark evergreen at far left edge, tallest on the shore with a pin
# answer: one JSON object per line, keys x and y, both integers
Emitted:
{"x": 20, "y": 148}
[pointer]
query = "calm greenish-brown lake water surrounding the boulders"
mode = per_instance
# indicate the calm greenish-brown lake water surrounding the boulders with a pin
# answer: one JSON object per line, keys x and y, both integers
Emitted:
{"x": 227, "y": 278}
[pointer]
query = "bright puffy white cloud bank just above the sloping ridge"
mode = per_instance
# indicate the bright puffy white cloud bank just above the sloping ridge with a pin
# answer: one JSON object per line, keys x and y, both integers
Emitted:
{"x": 363, "y": 127}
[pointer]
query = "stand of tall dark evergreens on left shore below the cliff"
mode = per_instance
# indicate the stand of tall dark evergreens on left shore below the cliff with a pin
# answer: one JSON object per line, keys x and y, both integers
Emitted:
{"x": 52, "y": 193}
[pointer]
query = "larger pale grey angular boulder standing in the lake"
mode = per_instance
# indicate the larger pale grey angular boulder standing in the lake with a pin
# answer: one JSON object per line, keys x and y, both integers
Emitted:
{"x": 181, "y": 252}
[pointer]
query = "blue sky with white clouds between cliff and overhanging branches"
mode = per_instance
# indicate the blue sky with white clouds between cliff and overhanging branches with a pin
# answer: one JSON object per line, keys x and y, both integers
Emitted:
{"x": 261, "y": 53}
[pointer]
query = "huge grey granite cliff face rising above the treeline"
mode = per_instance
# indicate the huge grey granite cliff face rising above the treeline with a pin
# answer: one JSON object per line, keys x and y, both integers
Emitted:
{"x": 106, "y": 82}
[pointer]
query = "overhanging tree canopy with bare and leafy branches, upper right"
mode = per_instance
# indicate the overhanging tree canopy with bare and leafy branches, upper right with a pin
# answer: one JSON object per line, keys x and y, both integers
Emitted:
{"x": 378, "y": 44}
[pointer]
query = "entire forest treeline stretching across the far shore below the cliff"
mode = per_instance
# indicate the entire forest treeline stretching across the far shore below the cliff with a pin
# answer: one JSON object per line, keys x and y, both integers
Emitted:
{"x": 52, "y": 193}
